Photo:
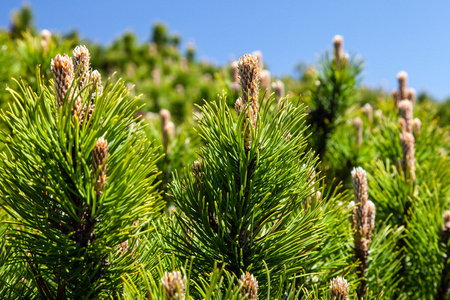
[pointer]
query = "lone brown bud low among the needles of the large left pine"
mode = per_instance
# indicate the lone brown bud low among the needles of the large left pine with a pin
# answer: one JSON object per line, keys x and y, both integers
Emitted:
{"x": 99, "y": 164}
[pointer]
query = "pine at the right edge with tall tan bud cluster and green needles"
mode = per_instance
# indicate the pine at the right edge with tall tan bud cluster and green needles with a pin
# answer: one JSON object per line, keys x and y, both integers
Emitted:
{"x": 409, "y": 185}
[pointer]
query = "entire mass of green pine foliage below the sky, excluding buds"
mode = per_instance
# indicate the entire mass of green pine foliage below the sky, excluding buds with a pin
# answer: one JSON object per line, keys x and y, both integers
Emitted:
{"x": 262, "y": 210}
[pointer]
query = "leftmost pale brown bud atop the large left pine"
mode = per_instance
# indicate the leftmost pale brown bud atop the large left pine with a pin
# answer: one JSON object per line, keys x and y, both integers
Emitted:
{"x": 62, "y": 69}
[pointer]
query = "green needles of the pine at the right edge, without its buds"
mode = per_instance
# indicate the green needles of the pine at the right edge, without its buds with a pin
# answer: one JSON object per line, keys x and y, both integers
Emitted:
{"x": 417, "y": 207}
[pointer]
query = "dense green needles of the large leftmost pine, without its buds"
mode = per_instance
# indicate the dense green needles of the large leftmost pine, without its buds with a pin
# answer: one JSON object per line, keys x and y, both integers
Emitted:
{"x": 65, "y": 233}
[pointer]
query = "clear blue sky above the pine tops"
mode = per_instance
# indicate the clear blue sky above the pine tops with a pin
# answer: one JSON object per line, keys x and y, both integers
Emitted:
{"x": 390, "y": 35}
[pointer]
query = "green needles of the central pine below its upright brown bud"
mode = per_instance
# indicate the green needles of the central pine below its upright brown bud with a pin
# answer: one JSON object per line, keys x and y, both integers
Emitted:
{"x": 244, "y": 208}
